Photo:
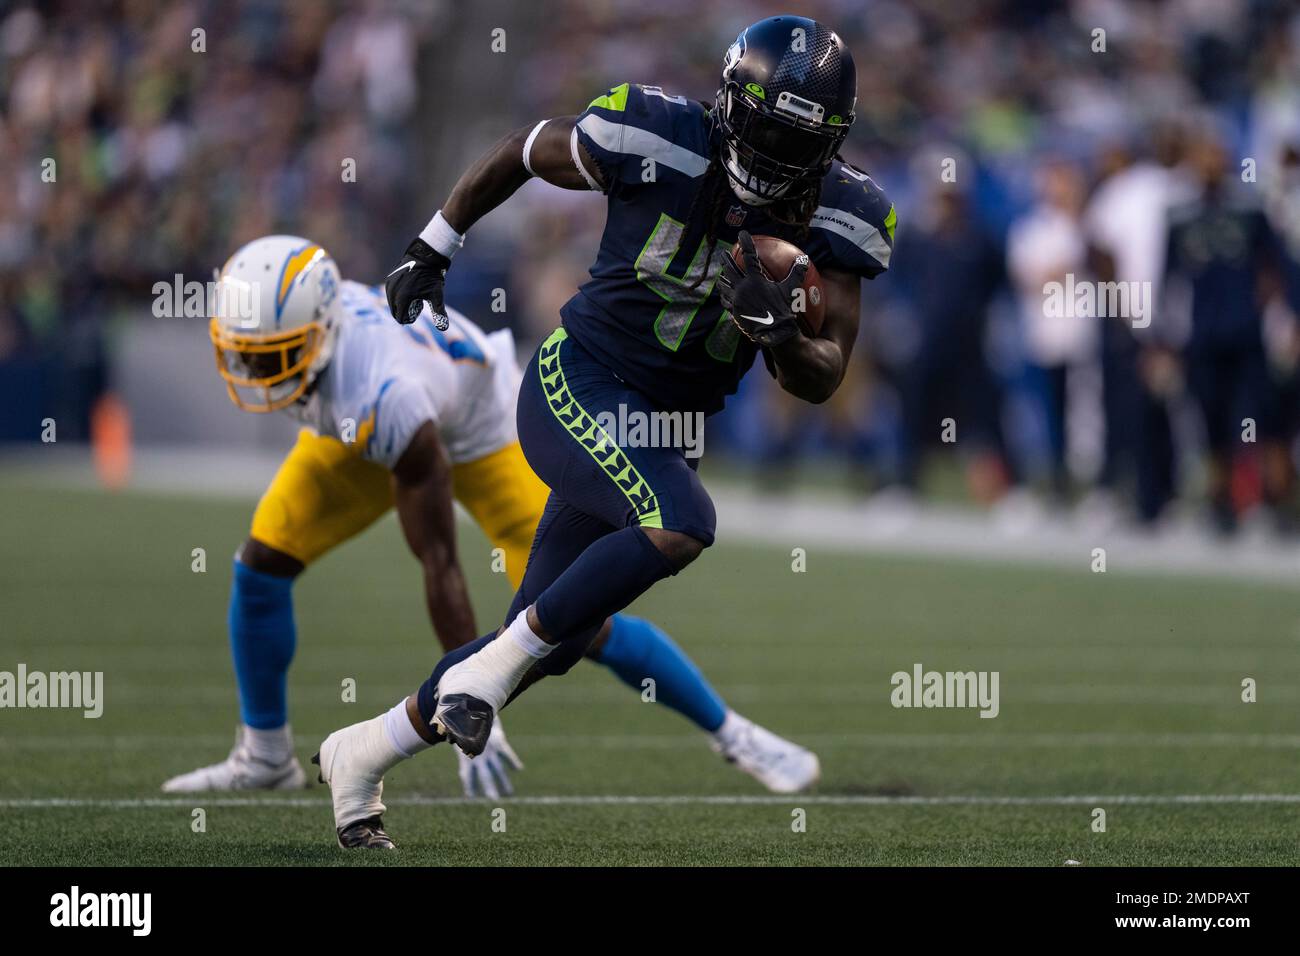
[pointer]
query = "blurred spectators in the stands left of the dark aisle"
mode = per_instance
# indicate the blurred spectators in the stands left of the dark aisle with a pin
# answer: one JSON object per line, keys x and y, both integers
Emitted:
{"x": 141, "y": 140}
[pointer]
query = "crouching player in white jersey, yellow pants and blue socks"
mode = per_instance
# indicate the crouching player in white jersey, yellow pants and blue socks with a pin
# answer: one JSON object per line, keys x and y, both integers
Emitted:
{"x": 410, "y": 418}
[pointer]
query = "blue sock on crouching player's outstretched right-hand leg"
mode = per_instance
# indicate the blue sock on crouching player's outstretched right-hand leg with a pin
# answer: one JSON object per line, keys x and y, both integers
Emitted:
{"x": 636, "y": 650}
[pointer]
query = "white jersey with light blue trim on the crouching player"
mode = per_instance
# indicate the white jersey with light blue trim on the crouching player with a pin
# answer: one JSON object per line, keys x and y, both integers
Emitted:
{"x": 387, "y": 380}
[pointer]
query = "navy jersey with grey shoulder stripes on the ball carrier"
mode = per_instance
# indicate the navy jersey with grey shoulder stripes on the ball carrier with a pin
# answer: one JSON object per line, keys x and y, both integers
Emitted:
{"x": 651, "y": 312}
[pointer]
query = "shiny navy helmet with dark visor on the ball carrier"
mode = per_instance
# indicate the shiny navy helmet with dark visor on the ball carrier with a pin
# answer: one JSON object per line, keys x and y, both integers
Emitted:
{"x": 783, "y": 109}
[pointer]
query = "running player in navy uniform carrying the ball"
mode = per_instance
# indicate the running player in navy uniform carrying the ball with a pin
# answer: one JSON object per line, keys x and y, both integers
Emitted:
{"x": 668, "y": 323}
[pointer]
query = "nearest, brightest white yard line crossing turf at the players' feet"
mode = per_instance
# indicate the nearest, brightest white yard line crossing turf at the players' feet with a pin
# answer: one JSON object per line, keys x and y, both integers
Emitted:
{"x": 613, "y": 801}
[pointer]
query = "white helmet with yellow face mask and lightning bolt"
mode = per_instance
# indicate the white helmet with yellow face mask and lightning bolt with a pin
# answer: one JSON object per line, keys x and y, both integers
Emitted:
{"x": 275, "y": 321}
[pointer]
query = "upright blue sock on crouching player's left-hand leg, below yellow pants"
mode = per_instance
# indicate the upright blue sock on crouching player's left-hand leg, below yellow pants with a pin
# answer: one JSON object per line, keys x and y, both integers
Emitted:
{"x": 262, "y": 642}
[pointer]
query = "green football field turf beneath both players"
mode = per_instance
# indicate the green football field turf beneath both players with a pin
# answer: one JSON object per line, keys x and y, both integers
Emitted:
{"x": 1119, "y": 691}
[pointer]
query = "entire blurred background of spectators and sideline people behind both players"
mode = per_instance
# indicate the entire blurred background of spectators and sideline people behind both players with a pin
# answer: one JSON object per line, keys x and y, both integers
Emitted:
{"x": 1024, "y": 142}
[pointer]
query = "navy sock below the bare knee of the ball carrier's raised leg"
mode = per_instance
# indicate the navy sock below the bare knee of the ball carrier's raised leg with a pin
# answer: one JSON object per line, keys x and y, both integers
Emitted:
{"x": 613, "y": 573}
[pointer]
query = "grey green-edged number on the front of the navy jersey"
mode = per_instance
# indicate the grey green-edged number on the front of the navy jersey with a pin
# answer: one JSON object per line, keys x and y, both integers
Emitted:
{"x": 683, "y": 296}
